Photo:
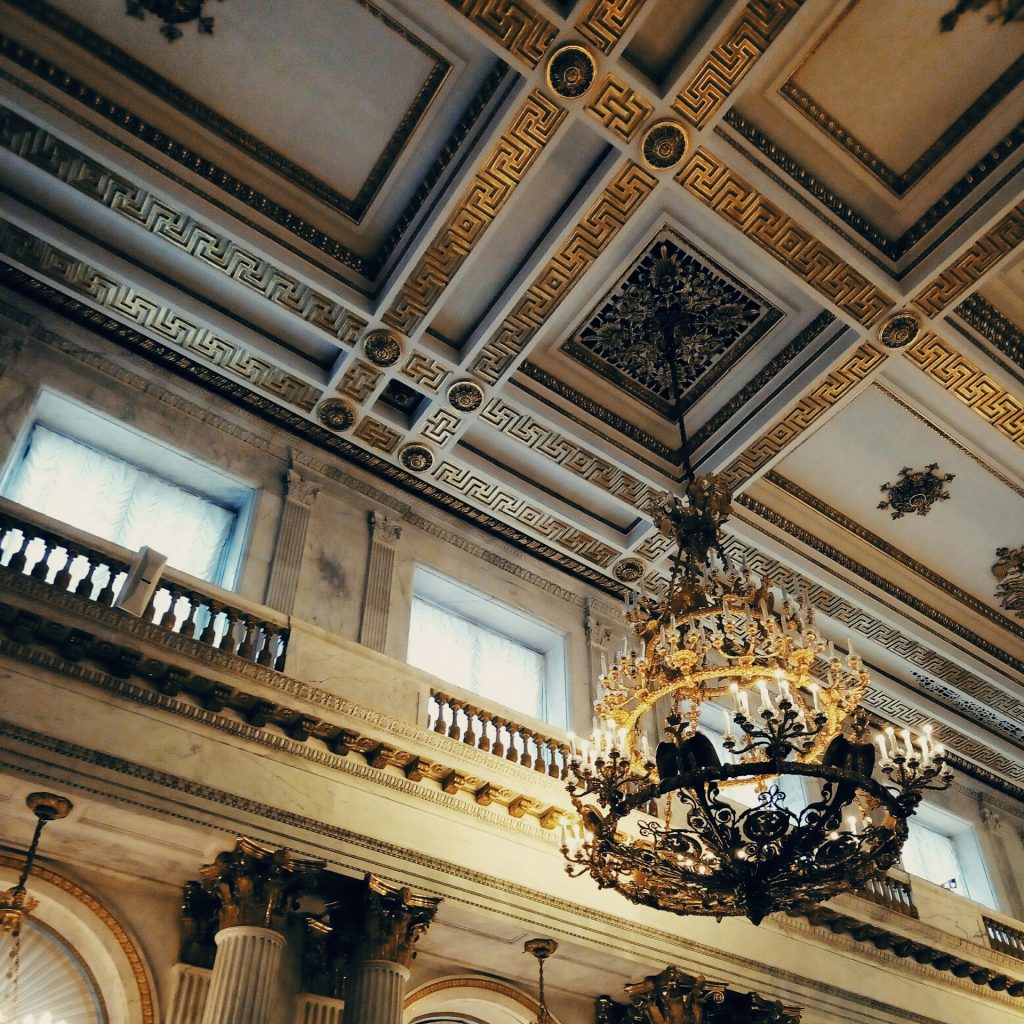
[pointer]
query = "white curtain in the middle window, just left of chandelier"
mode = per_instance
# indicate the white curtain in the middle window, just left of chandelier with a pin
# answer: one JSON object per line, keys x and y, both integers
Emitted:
{"x": 477, "y": 659}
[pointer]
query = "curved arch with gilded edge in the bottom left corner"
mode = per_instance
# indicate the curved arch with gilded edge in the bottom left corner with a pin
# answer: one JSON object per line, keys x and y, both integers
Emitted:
{"x": 92, "y": 932}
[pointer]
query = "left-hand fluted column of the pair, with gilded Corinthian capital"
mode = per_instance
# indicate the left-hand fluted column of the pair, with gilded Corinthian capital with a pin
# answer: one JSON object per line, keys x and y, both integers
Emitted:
{"x": 255, "y": 885}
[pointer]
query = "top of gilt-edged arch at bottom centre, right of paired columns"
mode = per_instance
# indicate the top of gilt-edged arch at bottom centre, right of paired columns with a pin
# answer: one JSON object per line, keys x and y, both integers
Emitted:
{"x": 471, "y": 1000}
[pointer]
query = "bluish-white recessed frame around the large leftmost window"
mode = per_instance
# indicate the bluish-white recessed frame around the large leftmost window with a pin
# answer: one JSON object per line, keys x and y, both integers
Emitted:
{"x": 147, "y": 454}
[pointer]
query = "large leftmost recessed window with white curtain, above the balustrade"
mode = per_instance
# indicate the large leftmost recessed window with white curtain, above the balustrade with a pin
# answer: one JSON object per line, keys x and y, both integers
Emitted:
{"x": 107, "y": 480}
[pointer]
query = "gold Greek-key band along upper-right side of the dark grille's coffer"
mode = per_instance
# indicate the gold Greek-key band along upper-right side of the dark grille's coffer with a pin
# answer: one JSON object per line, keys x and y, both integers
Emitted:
{"x": 706, "y": 178}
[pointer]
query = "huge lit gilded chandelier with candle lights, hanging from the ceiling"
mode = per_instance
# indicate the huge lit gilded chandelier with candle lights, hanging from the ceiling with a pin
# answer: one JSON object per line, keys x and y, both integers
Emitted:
{"x": 662, "y": 830}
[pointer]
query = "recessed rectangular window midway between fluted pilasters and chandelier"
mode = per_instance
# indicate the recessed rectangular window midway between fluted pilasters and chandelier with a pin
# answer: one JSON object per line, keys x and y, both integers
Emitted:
{"x": 479, "y": 645}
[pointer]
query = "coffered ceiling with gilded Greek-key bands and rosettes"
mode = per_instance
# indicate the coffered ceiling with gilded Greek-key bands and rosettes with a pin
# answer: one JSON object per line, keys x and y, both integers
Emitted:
{"x": 423, "y": 236}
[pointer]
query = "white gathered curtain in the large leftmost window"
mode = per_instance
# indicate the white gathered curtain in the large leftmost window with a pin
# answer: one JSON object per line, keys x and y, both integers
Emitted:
{"x": 109, "y": 498}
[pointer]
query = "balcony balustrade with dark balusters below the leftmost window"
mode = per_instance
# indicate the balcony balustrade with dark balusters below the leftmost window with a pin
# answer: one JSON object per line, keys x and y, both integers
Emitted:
{"x": 70, "y": 561}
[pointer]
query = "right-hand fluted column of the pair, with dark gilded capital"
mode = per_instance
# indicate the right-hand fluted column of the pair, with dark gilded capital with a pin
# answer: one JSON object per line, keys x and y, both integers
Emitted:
{"x": 383, "y": 922}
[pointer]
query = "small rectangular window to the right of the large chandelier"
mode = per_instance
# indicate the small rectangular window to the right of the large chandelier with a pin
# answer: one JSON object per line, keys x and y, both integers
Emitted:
{"x": 945, "y": 850}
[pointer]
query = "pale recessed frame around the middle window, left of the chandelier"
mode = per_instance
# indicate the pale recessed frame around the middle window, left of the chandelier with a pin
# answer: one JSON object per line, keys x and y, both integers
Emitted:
{"x": 487, "y": 612}
